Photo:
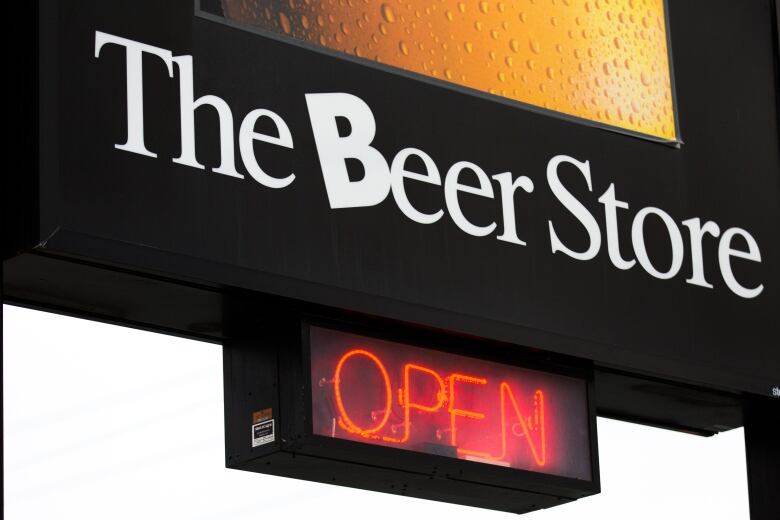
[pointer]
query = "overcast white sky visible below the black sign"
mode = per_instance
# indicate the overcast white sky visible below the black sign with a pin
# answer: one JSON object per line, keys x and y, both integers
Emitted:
{"x": 103, "y": 422}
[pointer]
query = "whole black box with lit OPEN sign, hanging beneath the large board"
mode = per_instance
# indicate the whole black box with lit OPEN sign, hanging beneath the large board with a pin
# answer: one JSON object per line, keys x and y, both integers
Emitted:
{"x": 355, "y": 410}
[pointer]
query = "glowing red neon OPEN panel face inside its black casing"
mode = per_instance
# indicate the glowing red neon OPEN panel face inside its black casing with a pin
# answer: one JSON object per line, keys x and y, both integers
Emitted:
{"x": 390, "y": 394}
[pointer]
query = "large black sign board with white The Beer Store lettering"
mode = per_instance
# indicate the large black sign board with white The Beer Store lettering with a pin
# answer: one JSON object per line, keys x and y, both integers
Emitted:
{"x": 157, "y": 207}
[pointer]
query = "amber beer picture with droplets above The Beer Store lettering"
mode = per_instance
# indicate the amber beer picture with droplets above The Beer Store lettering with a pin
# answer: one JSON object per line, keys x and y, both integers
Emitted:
{"x": 602, "y": 60}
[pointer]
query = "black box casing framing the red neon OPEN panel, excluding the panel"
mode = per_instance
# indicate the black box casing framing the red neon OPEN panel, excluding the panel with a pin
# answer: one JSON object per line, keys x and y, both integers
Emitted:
{"x": 267, "y": 378}
